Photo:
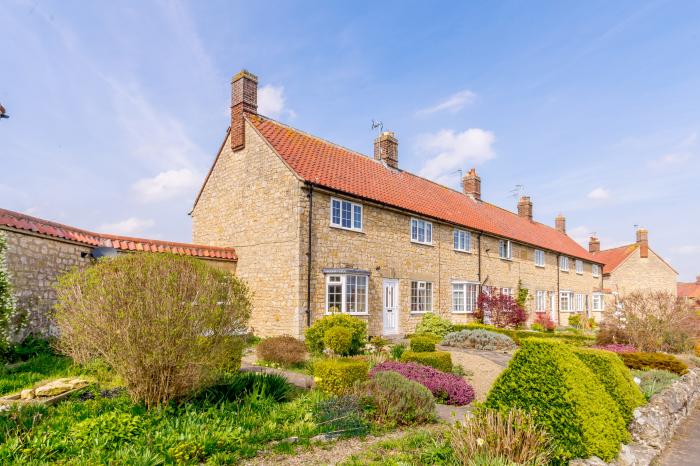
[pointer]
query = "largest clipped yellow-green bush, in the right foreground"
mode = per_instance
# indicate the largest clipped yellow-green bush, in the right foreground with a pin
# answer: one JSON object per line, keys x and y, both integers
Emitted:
{"x": 546, "y": 379}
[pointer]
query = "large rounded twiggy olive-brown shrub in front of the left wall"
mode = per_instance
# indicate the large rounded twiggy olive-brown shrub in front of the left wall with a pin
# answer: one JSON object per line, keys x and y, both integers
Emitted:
{"x": 163, "y": 322}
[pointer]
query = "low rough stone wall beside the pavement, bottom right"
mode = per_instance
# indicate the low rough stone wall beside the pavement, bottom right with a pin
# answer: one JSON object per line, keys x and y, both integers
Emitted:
{"x": 655, "y": 423}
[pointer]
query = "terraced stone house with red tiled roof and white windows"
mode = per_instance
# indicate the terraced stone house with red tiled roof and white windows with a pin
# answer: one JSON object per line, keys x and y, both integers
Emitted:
{"x": 318, "y": 228}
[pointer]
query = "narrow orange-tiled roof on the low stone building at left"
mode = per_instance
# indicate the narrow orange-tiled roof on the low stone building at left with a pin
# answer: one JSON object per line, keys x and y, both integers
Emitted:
{"x": 24, "y": 222}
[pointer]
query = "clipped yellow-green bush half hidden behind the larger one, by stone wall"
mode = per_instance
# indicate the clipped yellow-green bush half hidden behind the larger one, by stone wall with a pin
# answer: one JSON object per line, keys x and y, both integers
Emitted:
{"x": 615, "y": 377}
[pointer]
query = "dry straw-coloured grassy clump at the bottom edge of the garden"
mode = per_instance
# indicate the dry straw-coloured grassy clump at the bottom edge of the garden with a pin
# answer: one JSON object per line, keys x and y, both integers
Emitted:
{"x": 511, "y": 437}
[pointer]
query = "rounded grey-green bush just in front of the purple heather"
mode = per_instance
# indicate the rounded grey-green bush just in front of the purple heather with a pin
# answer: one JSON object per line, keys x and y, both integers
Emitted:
{"x": 395, "y": 400}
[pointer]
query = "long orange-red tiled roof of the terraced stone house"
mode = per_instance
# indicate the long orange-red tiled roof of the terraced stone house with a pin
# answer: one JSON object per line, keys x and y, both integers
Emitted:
{"x": 328, "y": 165}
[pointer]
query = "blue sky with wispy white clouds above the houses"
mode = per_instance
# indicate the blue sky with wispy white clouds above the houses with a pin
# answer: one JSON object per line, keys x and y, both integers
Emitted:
{"x": 118, "y": 108}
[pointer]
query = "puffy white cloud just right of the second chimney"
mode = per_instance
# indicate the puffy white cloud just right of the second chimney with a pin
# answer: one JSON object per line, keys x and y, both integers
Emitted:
{"x": 449, "y": 151}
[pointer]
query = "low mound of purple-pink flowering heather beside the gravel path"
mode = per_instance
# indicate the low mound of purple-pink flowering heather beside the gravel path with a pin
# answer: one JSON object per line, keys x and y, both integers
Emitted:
{"x": 447, "y": 388}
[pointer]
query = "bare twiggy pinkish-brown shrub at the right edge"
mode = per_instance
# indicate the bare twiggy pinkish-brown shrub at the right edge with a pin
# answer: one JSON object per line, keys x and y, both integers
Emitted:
{"x": 651, "y": 321}
